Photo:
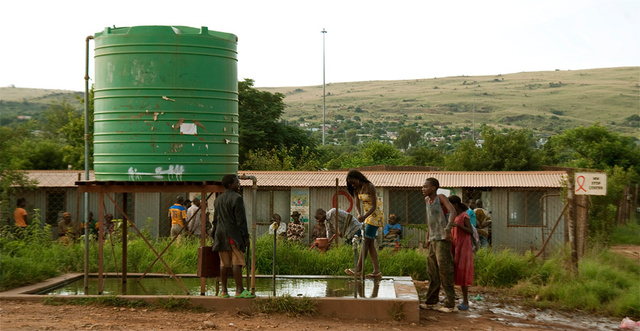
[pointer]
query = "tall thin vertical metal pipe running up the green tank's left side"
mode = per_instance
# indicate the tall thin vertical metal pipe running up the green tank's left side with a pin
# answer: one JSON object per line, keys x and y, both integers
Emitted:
{"x": 86, "y": 167}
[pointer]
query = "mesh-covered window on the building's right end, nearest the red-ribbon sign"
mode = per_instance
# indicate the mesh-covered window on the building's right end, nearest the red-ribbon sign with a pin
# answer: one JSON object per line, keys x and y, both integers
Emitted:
{"x": 524, "y": 208}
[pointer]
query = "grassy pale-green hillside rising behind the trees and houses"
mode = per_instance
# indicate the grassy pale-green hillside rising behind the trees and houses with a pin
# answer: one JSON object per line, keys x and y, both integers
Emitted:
{"x": 545, "y": 102}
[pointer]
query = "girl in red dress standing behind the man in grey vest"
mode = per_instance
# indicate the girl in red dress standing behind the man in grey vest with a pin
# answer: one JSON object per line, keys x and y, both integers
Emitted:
{"x": 462, "y": 250}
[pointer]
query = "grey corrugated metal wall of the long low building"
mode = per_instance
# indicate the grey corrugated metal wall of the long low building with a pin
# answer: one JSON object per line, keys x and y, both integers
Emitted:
{"x": 542, "y": 206}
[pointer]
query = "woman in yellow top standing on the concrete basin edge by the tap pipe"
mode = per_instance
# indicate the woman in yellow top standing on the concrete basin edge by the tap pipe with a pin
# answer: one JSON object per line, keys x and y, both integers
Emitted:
{"x": 363, "y": 190}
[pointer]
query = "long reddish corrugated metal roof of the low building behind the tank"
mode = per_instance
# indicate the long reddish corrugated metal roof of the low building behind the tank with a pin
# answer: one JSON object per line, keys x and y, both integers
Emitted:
{"x": 397, "y": 179}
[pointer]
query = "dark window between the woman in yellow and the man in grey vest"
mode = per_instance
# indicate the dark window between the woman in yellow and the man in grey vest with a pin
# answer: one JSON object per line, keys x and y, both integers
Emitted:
{"x": 408, "y": 206}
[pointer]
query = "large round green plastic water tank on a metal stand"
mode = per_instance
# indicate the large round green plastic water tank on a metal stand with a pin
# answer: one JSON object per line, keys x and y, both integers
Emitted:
{"x": 166, "y": 104}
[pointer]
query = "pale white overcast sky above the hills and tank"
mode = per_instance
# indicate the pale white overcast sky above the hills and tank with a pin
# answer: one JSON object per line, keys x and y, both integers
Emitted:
{"x": 280, "y": 42}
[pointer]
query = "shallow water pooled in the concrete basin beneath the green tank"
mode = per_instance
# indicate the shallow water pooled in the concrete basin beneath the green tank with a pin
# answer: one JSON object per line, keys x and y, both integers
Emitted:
{"x": 309, "y": 287}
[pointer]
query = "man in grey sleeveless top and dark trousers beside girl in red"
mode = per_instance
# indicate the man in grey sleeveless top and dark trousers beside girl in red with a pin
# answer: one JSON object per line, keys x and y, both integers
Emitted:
{"x": 439, "y": 239}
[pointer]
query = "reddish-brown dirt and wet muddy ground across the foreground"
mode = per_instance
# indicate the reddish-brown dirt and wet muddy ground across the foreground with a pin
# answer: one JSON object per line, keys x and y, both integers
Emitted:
{"x": 495, "y": 311}
